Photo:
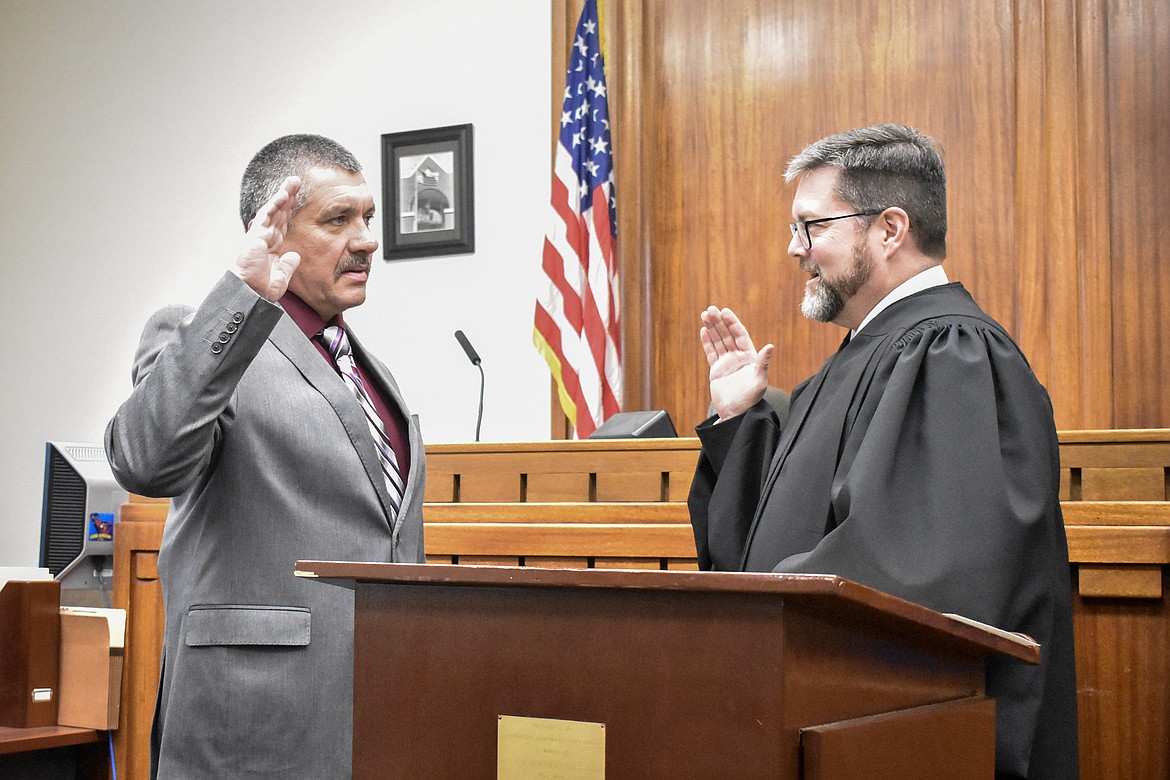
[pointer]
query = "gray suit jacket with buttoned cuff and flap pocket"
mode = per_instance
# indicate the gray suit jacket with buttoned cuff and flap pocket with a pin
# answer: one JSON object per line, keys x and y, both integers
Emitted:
{"x": 269, "y": 460}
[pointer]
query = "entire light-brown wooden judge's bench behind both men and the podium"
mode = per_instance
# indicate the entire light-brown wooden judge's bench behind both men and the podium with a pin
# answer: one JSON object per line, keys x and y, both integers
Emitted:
{"x": 622, "y": 505}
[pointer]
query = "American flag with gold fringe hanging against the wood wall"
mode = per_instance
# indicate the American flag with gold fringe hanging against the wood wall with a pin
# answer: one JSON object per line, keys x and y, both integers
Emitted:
{"x": 577, "y": 325}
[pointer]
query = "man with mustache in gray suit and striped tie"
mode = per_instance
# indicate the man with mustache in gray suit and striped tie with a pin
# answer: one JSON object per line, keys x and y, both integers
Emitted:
{"x": 244, "y": 420}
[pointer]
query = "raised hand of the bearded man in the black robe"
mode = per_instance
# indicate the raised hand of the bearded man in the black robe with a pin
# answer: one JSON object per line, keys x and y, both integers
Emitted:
{"x": 739, "y": 374}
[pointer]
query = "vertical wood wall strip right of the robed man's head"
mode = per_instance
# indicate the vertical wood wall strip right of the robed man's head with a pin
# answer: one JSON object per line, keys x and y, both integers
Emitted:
{"x": 1059, "y": 267}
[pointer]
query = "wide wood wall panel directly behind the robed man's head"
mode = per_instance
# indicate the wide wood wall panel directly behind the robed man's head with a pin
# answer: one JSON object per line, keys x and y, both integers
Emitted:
{"x": 731, "y": 92}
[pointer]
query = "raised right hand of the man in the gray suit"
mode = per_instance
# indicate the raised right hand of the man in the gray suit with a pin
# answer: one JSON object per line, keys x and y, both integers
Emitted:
{"x": 263, "y": 264}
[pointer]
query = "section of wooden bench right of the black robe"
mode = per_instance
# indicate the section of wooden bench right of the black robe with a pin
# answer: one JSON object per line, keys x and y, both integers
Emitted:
{"x": 1116, "y": 496}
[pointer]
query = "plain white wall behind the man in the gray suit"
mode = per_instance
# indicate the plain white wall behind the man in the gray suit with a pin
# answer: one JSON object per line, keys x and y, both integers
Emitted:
{"x": 125, "y": 129}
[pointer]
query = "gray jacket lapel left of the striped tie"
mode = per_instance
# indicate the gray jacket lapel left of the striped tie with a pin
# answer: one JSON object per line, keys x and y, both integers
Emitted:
{"x": 293, "y": 344}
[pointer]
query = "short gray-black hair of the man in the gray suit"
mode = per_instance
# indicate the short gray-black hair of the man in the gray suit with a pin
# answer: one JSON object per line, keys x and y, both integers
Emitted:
{"x": 286, "y": 157}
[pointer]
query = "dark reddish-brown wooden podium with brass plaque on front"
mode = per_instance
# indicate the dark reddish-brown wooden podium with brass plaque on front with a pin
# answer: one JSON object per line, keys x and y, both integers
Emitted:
{"x": 684, "y": 674}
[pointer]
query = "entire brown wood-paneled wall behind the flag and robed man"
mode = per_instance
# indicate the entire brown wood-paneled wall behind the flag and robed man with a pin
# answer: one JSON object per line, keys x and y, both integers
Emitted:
{"x": 1055, "y": 121}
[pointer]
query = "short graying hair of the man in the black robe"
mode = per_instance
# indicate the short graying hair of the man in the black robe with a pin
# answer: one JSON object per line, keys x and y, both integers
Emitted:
{"x": 883, "y": 167}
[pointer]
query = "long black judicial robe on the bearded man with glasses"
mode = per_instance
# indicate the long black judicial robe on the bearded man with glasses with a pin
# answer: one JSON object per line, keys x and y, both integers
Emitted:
{"x": 921, "y": 461}
